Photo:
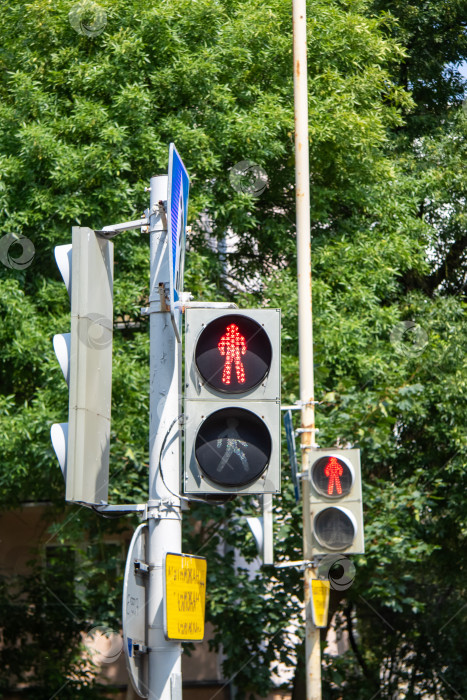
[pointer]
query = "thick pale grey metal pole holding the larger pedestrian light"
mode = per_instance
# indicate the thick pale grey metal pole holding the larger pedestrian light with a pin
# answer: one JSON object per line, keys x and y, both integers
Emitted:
{"x": 164, "y": 512}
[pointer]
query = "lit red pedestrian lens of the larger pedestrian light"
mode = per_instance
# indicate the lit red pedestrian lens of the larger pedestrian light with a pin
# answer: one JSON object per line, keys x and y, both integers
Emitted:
{"x": 233, "y": 353}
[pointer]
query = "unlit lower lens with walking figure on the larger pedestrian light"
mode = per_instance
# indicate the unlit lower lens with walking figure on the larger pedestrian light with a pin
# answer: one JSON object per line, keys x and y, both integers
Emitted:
{"x": 233, "y": 447}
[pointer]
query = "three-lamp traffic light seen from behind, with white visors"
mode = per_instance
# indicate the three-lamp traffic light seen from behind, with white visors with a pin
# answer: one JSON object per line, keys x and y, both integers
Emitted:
{"x": 85, "y": 356}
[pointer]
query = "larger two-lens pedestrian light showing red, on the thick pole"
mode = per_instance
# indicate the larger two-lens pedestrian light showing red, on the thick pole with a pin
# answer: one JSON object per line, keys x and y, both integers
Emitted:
{"x": 232, "y": 401}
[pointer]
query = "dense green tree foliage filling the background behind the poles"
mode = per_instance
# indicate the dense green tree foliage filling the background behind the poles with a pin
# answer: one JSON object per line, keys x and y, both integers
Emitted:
{"x": 84, "y": 122}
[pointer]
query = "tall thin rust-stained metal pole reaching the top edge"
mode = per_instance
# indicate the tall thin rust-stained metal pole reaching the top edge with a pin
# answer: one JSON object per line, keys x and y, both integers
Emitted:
{"x": 305, "y": 328}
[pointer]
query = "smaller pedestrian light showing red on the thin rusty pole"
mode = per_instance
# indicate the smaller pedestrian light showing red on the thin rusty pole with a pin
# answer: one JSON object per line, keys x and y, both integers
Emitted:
{"x": 336, "y": 501}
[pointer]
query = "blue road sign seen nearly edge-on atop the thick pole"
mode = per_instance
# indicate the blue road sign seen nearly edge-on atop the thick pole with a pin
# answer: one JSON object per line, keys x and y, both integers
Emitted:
{"x": 177, "y": 211}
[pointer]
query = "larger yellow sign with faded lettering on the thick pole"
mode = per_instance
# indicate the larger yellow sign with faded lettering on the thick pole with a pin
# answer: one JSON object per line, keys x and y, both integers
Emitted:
{"x": 185, "y": 596}
